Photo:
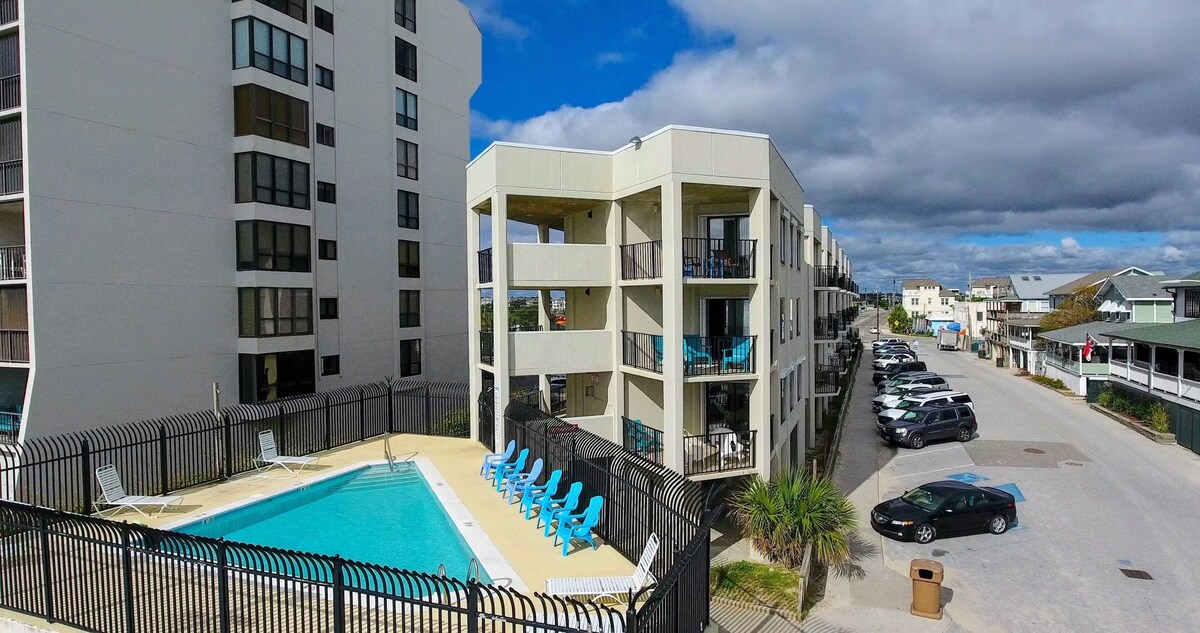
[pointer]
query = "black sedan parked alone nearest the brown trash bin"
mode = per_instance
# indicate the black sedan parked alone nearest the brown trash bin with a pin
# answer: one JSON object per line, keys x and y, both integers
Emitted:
{"x": 945, "y": 509}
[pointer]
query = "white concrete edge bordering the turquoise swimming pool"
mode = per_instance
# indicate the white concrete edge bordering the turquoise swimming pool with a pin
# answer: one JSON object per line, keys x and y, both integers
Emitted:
{"x": 478, "y": 542}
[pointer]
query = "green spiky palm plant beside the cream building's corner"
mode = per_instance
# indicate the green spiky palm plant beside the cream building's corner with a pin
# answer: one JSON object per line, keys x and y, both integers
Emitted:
{"x": 795, "y": 510}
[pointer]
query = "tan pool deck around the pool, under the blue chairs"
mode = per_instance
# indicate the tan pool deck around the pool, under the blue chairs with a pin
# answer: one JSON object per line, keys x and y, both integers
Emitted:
{"x": 531, "y": 556}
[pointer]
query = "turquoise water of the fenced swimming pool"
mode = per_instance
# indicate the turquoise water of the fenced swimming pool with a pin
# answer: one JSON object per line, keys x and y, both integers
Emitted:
{"x": 373, "y": 515}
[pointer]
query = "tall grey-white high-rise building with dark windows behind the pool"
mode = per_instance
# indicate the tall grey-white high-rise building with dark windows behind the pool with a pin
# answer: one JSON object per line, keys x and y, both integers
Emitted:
{"x": 260, "y": 194}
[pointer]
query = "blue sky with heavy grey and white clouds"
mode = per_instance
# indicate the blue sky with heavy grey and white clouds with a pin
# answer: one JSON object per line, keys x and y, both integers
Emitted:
{"x": 938, "y": 140}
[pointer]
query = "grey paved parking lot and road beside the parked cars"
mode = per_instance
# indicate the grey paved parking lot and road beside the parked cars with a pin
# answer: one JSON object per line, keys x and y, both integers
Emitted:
{"x": 1099, "y": 508}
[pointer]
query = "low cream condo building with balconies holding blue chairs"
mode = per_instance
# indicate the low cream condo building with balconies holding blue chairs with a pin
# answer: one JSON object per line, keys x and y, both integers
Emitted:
{"x": 706, "y": 305}
